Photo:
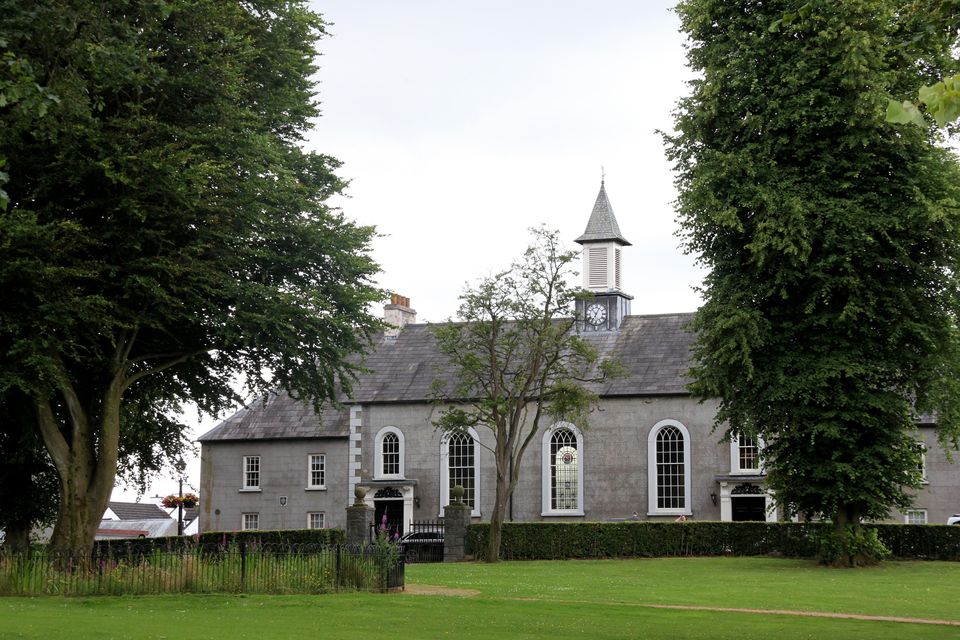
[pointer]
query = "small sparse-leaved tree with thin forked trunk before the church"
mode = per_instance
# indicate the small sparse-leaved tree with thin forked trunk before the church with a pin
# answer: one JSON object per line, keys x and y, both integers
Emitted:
{"x": 517, "y": 360}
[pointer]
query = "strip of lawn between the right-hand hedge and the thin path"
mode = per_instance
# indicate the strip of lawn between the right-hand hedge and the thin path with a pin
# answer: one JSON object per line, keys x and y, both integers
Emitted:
{"x": 910, "y": 589}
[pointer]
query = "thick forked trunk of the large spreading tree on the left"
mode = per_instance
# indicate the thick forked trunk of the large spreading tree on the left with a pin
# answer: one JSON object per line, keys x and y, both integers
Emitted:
{"x": 85, "y": 453}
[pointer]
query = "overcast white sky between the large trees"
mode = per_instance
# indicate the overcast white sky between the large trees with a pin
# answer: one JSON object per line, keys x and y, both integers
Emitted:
{"x": 463, "y": 124}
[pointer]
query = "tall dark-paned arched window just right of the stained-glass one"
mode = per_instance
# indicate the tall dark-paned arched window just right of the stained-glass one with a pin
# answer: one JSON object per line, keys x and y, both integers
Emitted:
{"x": 668, "y": 469}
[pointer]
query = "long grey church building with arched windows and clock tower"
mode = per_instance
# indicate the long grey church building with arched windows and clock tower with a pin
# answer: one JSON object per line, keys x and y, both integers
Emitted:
{"x": 650, "y": 451}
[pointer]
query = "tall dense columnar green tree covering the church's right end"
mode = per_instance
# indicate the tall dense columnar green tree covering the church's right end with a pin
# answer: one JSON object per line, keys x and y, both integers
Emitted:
{"x": 831, "y": 237}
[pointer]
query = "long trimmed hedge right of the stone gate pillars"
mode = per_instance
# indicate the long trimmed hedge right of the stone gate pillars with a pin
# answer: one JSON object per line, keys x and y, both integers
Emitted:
{"x": 556, "y": 540}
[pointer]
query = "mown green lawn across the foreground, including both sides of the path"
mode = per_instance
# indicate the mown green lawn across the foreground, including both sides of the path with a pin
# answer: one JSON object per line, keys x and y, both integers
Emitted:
{"x": 572, "y": 599}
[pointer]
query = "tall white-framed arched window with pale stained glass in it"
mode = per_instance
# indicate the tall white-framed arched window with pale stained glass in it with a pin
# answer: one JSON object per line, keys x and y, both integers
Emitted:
{"x": 562, "y": 470}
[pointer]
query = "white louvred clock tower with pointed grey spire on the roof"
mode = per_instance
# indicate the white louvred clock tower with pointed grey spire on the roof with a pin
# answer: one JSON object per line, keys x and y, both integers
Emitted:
{"x": 601, "y": 243}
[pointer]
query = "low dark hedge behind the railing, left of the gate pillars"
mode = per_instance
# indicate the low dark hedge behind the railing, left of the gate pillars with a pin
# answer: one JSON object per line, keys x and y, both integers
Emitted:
{"x": 225, "y": 539}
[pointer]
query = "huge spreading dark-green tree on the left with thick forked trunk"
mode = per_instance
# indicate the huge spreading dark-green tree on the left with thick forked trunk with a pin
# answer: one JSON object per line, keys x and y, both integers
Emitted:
{"x": 165, "y": 234}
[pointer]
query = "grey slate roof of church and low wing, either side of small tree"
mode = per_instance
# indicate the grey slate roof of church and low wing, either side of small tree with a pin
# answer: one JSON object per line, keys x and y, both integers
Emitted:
{"x": 654, "y": 350}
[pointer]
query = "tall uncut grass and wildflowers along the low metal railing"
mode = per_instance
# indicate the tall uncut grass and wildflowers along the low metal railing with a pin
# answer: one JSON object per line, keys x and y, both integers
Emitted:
{"x": 244, "y": 568}
